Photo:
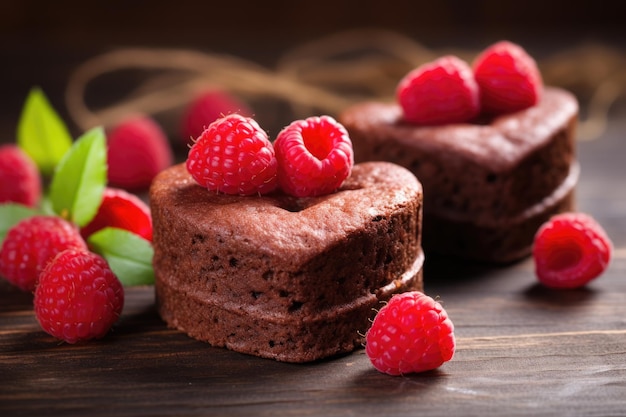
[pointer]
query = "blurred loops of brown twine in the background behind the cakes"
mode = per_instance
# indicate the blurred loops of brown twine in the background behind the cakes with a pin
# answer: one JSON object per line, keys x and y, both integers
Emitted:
{"x": 327, "y": 74}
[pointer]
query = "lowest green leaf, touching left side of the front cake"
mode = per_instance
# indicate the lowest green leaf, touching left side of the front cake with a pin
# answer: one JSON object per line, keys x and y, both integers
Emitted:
{"x": 128, "y": 254}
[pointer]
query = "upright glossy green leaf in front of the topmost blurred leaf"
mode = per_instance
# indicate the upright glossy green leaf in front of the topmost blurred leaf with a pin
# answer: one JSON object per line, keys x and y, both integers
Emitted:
{"x": 80, "y": 178}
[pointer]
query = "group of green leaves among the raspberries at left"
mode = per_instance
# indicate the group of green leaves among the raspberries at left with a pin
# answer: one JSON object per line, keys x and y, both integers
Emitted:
{"x": 78, "y": 173}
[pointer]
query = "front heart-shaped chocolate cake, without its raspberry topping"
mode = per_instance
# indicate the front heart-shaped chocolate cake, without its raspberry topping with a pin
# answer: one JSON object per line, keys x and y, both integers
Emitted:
{"x": 292, "y": 279}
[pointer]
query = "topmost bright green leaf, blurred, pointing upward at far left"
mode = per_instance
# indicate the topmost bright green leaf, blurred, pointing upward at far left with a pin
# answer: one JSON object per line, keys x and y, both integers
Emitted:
{"x": 41, "y": 132}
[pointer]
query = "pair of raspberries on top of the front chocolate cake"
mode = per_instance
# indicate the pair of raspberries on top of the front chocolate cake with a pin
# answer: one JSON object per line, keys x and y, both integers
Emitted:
{"x": 308, "y": 158}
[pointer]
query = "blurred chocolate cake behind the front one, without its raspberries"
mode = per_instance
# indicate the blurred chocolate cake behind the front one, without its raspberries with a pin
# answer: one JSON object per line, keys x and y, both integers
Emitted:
{"x": 488, "y": 185}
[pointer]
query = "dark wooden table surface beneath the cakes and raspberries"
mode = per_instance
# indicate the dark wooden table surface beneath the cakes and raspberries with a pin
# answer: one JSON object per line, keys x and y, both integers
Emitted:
{"x": 521, "y": 349}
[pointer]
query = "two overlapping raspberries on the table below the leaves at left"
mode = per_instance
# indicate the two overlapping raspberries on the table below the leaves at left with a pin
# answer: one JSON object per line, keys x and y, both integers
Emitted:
{"x": 77, "y": 296}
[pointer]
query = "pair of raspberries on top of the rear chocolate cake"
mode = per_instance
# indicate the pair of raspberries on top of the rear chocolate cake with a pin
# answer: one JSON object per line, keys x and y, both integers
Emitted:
{"x": 502, "y": 79}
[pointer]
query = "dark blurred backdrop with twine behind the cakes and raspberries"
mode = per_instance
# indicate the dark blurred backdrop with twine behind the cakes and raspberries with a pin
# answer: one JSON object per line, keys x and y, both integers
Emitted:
{"x": 97, "y": 61}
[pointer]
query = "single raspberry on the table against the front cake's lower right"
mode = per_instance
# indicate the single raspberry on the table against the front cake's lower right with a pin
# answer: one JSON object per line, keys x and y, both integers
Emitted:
{"x": 411, "y": 333}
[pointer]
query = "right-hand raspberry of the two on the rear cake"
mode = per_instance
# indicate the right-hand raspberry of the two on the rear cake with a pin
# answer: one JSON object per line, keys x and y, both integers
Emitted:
{"x": 508, "y": 78}
